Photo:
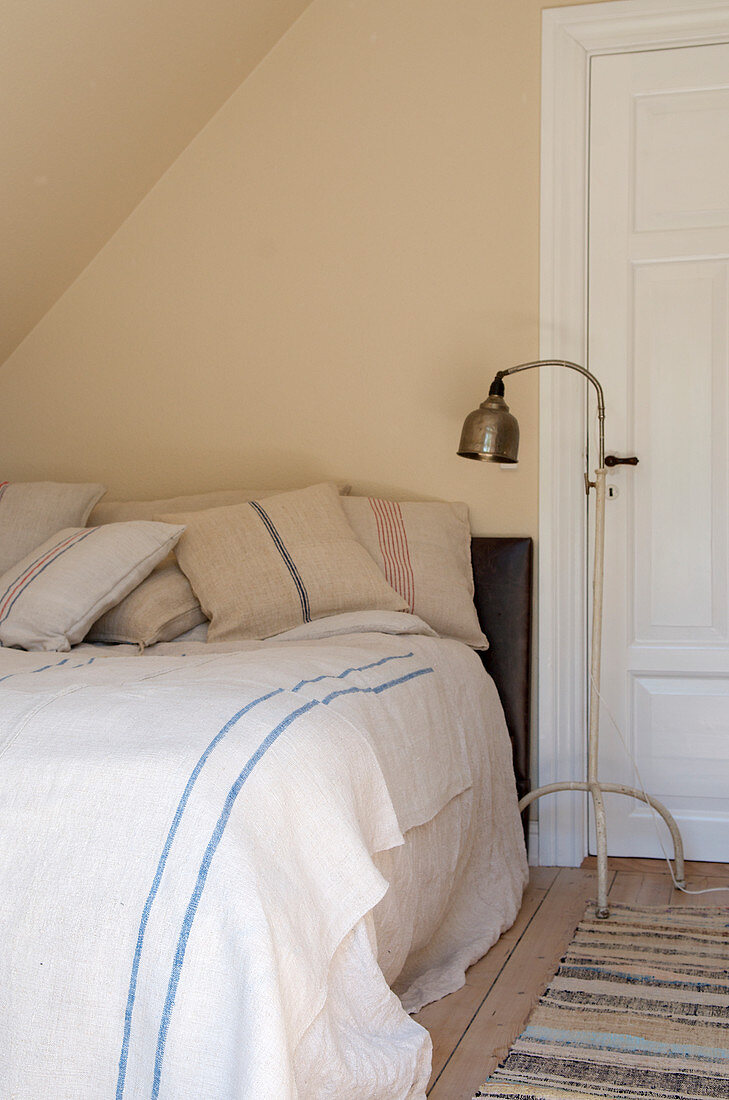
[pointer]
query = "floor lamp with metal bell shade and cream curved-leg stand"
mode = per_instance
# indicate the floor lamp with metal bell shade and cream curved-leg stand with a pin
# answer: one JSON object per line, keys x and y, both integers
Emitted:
{"x": 492, "y": 434}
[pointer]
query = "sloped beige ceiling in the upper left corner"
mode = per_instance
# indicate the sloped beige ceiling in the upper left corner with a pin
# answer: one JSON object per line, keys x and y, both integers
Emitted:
{"x": 98, "y": 100}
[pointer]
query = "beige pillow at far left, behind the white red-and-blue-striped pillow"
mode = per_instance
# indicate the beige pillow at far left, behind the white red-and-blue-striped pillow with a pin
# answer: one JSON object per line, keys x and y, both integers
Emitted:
{"x": 32, "y": 512}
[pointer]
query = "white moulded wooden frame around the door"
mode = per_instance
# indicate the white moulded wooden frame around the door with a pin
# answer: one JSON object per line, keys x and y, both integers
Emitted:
{"x": 571, "y": 38}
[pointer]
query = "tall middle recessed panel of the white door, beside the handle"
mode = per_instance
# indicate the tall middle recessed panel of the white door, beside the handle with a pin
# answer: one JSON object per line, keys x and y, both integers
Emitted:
{"x": 680, "y": 510}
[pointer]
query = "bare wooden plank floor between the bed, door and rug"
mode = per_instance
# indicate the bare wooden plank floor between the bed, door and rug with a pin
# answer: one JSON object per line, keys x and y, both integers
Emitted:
{"x": 473, "y": 1029}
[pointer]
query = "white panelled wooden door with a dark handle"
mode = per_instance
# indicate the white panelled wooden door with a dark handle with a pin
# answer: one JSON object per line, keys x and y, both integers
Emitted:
{"x": 659, "y": 342}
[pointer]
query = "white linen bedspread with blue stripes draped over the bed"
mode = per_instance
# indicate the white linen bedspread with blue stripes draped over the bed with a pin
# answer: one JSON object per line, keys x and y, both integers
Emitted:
{"x": 196, "y": 854}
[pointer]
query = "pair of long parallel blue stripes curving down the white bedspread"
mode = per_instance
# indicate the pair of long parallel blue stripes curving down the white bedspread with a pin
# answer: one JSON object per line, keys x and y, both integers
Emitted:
{"x": 215, "y": 841}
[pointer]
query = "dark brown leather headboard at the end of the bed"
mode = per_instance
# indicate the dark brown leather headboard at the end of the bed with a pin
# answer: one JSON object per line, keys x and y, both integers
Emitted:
{"x": 503, "y": 580}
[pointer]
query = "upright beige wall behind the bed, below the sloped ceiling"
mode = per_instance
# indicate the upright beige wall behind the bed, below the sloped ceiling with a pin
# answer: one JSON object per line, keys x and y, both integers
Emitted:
{"x": 323, "y": 284}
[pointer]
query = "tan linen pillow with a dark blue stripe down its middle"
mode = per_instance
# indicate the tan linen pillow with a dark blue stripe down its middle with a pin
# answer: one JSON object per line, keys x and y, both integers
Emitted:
{"x": 266, "y": 567}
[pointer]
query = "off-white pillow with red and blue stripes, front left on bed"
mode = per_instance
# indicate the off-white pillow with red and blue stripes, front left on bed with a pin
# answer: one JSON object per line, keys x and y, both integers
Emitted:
{"x": 50, "y": 599}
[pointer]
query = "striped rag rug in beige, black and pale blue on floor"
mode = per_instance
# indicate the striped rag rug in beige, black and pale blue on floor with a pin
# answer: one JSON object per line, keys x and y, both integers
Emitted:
{"x": 639, "y": 1008}
